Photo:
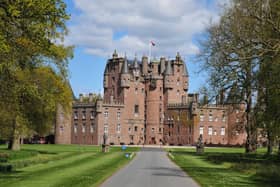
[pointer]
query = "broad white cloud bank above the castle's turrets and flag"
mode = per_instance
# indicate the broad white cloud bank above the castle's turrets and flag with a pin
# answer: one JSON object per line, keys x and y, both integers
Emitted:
{"x": 170, "y": 23}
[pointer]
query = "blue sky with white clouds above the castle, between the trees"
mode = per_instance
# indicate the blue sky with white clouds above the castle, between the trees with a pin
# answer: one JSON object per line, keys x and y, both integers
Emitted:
{"x": 98, "y": 27}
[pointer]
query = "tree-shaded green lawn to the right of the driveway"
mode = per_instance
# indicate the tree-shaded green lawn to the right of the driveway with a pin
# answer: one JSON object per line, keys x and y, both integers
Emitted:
{"x": 229, "y": 167}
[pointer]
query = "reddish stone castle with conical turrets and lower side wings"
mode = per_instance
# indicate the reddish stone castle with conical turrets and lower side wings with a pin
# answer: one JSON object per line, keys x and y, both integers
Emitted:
{"x": 148, "y": 103}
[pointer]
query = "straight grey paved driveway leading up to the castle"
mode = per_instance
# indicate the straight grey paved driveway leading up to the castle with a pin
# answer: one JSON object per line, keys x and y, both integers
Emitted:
{"x": 150, "y": 168}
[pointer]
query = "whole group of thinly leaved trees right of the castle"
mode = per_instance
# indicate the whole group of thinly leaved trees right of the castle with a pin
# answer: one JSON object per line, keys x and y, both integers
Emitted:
{"x": 242, "y": 55}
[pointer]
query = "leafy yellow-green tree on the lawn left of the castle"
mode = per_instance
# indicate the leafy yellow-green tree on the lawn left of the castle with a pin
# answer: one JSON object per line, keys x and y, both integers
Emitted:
{"x": 29, "y": 41}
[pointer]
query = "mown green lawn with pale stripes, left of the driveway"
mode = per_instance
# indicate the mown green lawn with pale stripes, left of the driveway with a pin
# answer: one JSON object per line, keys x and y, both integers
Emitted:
{"x": 61, "y": 165}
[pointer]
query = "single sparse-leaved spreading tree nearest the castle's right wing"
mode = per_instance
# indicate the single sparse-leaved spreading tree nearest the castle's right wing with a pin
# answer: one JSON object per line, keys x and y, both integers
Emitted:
{"x": 236, "y": 48}
